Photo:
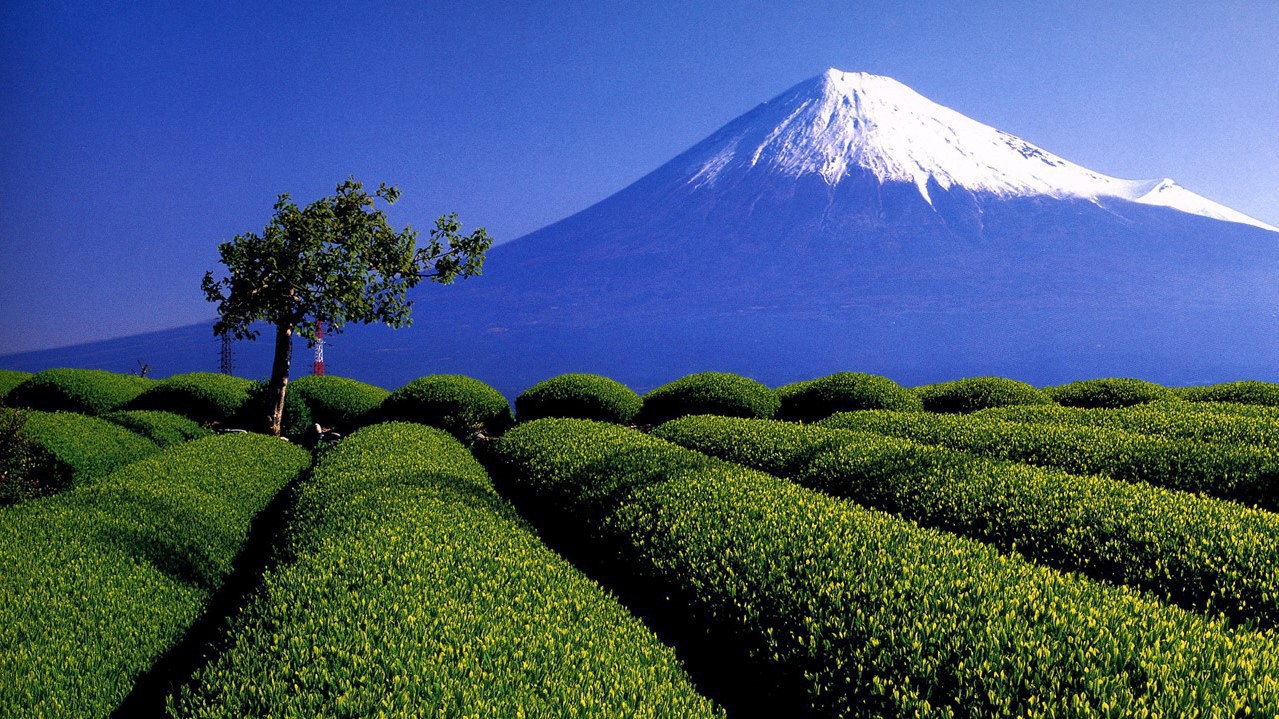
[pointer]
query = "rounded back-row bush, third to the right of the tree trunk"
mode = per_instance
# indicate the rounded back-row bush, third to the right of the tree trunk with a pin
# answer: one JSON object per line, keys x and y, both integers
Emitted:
{"x": 588, "y": 397}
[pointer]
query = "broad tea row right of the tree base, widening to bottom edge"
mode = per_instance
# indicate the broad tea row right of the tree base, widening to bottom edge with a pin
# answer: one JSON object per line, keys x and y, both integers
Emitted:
{"x": 415, "y": 590}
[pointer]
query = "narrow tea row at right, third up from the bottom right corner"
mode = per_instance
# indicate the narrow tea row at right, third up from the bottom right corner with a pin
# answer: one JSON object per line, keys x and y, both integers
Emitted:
{"x": 1236, "y": 473}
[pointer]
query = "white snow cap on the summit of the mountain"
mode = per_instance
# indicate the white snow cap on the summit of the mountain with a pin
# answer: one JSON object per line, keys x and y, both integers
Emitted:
{"x": 842, "y": 122}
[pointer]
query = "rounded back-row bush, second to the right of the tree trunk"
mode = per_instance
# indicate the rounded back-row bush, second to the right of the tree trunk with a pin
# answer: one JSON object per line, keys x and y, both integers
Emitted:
{"x": 459, "y": 405}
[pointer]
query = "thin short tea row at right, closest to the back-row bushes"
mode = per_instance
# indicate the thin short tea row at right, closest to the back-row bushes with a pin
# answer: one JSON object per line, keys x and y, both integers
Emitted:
{"x": 1170, "y": 422}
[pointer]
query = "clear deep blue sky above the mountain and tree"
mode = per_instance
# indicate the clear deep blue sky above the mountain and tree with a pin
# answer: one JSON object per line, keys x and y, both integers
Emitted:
{"x": 137, "y": 136}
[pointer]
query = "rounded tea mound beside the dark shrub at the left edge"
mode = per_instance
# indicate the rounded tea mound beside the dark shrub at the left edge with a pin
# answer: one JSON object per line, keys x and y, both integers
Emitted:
{"x": 84, "y": 448}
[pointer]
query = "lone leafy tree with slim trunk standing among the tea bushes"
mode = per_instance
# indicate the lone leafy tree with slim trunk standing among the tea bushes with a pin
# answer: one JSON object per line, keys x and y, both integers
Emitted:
{"x": 334, "y": 262}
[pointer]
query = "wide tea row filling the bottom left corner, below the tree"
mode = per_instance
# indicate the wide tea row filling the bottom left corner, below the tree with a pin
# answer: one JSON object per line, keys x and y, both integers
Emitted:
{"x": 100, "y": 581}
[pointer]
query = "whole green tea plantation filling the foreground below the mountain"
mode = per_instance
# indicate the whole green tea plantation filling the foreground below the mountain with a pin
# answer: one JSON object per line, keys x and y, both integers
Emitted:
{"x": 840, "y": 547}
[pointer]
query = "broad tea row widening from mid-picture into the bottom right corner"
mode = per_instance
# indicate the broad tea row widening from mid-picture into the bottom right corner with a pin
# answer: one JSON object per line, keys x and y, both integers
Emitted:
{"x": 852, "y": 612}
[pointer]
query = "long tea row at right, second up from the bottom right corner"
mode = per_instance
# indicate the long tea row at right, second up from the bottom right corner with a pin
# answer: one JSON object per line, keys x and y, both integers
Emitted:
{"x": 1202, "y": 553}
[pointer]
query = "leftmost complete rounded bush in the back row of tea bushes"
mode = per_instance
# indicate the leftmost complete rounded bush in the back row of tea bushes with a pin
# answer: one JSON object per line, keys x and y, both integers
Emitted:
{"x": 89, "y": 392}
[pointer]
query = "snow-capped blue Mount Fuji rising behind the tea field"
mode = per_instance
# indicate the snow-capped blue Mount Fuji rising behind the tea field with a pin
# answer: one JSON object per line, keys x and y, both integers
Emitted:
{"x": 854, "y": 225}
